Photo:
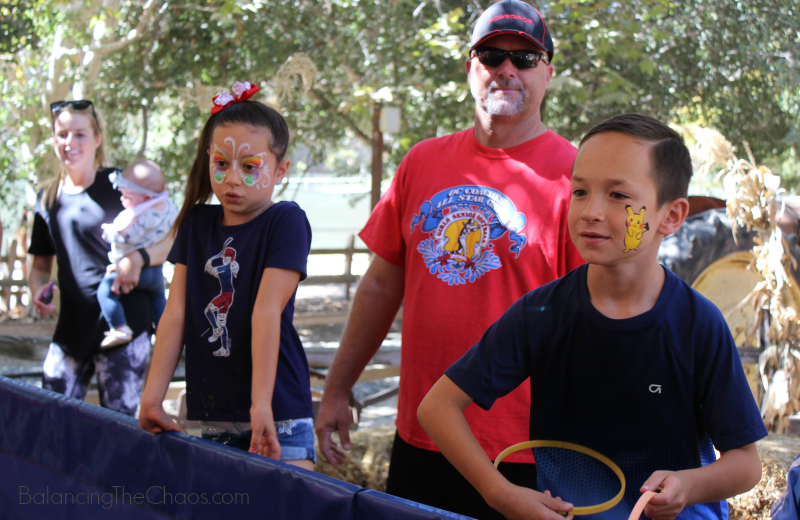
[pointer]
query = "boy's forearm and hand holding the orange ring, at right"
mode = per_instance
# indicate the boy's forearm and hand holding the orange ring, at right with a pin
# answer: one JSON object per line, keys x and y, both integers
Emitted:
{"x": 736, "y": 471}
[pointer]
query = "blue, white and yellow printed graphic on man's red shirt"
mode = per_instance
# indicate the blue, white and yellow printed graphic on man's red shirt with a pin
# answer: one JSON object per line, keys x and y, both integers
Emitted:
{"x": 462, "y": 223}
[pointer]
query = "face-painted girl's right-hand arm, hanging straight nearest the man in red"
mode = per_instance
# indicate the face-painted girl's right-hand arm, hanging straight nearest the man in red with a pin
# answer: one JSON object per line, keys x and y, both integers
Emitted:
{"x": 277, "y": 286}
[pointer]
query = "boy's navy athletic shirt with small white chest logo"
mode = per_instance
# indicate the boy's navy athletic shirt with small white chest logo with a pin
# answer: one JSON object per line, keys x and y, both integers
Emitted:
{"x": 652, "y": 392}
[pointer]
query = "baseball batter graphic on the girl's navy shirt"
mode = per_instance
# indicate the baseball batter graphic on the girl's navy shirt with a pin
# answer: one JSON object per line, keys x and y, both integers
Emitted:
{"x": 222, "y": 266}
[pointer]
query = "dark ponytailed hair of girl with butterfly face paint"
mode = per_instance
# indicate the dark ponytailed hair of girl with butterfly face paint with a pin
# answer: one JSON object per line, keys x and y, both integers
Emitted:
{"x": 252, "y": 113}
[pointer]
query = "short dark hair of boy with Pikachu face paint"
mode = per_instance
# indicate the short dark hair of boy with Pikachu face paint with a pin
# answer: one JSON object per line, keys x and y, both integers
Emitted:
{"x": 672, "y": 165}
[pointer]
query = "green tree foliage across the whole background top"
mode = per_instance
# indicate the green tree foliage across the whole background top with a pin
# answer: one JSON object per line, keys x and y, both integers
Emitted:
{"x": 726, "y": 64}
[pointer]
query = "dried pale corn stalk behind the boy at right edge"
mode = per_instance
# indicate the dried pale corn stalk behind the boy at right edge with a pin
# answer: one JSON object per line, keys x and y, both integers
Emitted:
{"x": 752, "y": 203}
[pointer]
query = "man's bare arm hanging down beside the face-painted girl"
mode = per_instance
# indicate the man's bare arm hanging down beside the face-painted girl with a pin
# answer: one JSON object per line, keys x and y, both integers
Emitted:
{"x": 375, "y": 306}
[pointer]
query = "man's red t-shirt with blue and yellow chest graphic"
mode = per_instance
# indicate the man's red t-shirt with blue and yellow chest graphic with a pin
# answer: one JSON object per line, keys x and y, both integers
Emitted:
{"x": 475, "y": 228}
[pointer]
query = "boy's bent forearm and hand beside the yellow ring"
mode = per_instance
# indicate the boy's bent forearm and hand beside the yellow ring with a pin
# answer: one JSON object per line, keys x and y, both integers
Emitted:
{"x": 441, "y": 414}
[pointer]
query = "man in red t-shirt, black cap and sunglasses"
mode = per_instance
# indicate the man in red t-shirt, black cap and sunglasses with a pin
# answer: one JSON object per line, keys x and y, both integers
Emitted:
{"x": 472, "y": 222}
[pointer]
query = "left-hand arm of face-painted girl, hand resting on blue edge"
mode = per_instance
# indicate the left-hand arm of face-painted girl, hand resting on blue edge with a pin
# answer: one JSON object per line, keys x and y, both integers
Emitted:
{"x": 167, "y": 351}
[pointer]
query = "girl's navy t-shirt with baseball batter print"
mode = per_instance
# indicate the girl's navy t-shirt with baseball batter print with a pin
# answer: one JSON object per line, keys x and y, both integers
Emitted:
{"x": 224, "y": 266}
